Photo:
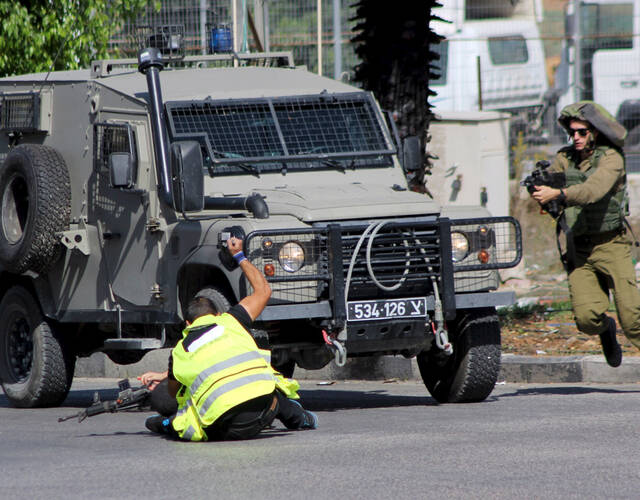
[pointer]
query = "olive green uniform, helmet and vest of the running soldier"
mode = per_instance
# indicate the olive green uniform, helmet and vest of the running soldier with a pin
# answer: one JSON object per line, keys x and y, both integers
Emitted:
{"x": 596, "y": 207}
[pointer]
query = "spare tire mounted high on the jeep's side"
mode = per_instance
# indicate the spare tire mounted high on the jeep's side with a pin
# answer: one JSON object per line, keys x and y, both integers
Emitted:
{"x": 35, "y": 204}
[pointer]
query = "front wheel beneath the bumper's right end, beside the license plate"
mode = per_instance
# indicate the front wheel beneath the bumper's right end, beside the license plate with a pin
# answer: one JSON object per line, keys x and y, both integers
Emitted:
{"x": 470, "y": 373}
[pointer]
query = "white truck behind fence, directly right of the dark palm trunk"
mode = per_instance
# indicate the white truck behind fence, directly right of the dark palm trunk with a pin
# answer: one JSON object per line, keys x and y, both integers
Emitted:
{"x": 491, "y": 58}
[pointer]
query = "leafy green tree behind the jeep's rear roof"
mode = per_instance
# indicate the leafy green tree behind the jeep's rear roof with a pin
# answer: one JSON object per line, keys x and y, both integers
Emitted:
{"x": 38, "y": 35}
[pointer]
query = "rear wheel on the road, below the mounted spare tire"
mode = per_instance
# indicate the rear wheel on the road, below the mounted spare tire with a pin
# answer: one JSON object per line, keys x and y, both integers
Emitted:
{"x": 34, "y": 369}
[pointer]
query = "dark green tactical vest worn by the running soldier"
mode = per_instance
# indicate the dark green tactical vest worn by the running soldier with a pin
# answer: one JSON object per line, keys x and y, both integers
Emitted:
{"x": 602, "y": 216}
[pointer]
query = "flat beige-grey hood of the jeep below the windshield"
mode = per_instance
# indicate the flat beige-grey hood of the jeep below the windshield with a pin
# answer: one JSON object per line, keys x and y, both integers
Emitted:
{"x": 348, "y": 201}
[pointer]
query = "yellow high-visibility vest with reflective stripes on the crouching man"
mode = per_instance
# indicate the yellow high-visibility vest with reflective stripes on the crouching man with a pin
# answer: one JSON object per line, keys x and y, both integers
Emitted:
{"x": 219, "y": 366}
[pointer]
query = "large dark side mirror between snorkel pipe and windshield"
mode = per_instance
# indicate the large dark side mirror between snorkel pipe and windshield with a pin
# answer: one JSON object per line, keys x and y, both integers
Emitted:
{"x": 187, "y": 179}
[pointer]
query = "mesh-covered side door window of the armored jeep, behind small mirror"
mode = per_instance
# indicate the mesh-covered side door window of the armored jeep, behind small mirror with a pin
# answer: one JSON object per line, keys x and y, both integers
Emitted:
{"x": 115, "y": 153}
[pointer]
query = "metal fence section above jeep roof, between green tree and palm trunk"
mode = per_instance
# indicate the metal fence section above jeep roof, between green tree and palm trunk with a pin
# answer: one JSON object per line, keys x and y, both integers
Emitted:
{"x": 305, "y": 27}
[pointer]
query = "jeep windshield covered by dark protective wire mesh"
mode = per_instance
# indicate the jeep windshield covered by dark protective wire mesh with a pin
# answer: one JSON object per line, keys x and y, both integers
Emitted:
{"x": 268, "y": 134}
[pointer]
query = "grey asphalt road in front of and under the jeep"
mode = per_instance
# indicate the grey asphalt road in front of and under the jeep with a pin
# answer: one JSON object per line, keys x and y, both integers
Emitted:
{"x": 376, "y": 440}
